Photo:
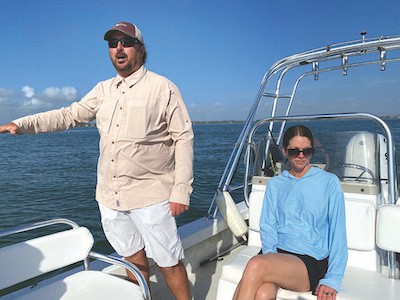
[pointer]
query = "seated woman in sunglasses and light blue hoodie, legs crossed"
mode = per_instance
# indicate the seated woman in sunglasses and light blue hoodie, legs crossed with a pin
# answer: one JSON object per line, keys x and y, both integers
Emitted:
{"x": 302, "y": 229}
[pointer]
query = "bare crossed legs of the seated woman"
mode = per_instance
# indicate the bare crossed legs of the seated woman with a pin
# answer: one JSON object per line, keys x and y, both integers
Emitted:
{"x": 269, "y": 272}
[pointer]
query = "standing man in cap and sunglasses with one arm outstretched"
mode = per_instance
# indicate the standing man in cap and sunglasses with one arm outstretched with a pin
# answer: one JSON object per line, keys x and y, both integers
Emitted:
{"x": 145, "y": 168}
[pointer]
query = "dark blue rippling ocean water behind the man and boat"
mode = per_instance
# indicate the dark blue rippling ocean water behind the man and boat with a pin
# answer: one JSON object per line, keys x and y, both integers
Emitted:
{"x": 53, "y": 175}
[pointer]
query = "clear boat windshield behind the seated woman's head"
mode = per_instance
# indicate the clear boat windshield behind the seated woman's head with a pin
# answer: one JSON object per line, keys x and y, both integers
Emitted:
{"x": 351, "y": 155}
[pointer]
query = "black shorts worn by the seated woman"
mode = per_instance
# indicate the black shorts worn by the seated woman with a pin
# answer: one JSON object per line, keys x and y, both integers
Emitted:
{"x": 316, "y": 268}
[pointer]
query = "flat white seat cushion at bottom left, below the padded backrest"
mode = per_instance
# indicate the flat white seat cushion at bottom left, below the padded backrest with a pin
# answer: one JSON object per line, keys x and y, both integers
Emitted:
{"x": 86, "y": 285}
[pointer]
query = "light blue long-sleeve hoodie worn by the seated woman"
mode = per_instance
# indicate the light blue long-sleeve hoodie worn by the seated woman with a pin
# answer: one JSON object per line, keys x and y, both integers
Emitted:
{"x": 307, "y": 216}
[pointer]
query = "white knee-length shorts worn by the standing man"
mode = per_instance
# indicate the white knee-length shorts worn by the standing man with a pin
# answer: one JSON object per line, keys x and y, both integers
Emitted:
{"x": 152, "y": 228}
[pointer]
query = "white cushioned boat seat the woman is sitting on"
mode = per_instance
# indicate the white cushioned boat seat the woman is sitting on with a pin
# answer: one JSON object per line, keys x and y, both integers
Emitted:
{"x": 363, "y": 268}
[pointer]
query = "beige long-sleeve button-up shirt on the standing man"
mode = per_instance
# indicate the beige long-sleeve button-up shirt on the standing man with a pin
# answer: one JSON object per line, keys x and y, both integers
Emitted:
{"x": 146, "y": 139}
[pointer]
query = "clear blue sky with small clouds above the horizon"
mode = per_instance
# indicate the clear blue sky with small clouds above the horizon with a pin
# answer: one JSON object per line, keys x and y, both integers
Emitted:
{"x": 52, "y": 51}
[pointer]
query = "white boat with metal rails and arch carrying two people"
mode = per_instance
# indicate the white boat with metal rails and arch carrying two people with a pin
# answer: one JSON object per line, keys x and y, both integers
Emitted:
{"x": 218, "y": 246}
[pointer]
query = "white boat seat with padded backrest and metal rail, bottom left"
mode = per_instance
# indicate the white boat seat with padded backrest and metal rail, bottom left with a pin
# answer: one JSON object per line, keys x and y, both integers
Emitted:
{"x": 28, "y": 259}
